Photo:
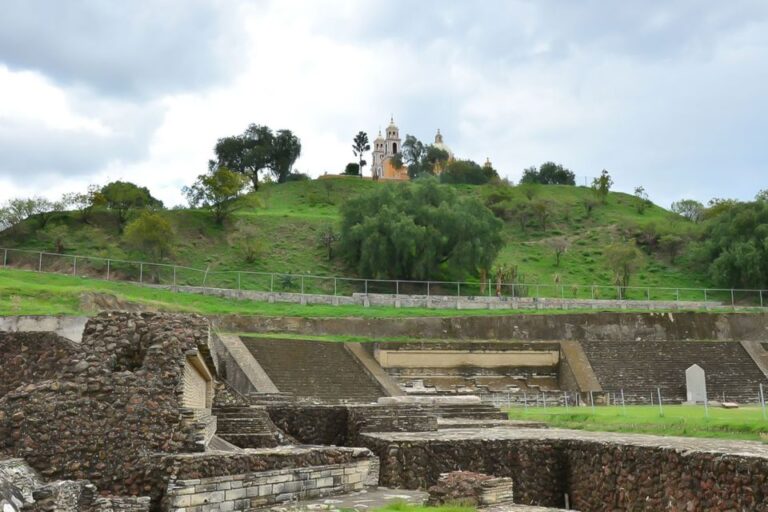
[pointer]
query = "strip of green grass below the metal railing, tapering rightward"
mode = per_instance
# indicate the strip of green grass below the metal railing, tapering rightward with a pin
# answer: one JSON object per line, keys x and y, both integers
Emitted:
{"x": 31, "y": 293}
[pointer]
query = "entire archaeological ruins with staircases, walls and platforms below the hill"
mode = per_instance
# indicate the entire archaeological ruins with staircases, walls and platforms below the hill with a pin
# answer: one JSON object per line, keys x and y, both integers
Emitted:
{"x": 171, "y": 412}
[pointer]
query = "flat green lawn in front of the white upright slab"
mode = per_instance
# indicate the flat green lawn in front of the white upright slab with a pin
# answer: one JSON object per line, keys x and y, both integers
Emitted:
{"x": 678, "y": 420}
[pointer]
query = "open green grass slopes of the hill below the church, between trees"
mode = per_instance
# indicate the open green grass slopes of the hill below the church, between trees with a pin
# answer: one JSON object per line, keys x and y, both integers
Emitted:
{"x": 283, "y": 223}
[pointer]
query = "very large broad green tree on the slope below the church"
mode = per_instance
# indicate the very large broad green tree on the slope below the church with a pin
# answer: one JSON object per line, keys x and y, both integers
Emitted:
{"x": 418, "y": 231}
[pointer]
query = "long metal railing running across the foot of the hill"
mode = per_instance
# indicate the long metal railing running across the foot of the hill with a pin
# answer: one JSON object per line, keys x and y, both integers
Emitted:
{"x": 142, "y": 272}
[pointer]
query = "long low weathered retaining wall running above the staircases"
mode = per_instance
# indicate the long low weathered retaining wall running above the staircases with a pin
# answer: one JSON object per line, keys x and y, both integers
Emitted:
{"x": 611, "y": 326}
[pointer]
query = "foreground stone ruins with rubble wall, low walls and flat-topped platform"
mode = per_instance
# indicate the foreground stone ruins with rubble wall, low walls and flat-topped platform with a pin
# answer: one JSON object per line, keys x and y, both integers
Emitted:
{"x": 148, "y": 412}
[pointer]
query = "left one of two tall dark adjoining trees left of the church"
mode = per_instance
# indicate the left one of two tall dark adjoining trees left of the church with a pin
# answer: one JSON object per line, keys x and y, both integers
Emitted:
{"x": 248, "y": 153}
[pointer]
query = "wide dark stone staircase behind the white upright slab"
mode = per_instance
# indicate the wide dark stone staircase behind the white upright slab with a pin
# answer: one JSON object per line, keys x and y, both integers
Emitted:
{"x": 640, "y": 367}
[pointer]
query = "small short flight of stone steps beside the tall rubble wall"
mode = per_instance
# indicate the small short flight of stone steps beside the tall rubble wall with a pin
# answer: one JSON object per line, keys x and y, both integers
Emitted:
{"x": 247, "y": 427}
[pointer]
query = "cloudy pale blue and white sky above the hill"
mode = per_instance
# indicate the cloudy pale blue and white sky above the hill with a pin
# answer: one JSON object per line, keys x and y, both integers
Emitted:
{"x": 670, "y": 95}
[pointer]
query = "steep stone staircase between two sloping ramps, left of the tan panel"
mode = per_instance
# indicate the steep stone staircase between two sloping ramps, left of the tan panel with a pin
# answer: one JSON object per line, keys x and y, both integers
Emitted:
{"x": 323, "y": 371}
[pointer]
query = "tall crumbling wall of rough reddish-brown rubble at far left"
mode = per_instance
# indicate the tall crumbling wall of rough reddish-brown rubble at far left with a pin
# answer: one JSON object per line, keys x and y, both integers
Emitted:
{"x": 113, "y": 404}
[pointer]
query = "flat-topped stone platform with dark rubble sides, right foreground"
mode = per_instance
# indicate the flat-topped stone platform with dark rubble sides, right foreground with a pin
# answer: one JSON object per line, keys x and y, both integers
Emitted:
{"x": 598, "y": 470}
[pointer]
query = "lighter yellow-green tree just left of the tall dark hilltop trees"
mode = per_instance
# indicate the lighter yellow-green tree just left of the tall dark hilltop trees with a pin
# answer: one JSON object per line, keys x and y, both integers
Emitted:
{"x": 217, "y": 190}
